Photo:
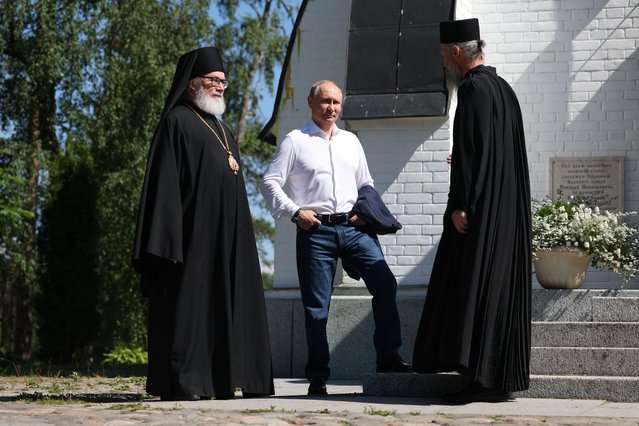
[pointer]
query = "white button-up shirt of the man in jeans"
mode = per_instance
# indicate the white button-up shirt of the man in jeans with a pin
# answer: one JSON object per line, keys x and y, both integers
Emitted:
{"x": 311, "y": 171}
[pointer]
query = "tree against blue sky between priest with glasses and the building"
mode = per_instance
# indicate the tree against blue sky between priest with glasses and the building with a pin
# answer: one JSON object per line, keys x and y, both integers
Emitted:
{"x": 253, "y": 39}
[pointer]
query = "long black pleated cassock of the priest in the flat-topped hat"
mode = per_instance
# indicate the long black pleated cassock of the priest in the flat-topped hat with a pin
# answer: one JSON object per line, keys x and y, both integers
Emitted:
{"x": 476, "y": 317}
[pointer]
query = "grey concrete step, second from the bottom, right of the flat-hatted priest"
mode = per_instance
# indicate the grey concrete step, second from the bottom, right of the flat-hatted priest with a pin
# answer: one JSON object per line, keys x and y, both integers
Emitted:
{"x": 585, "y": 361}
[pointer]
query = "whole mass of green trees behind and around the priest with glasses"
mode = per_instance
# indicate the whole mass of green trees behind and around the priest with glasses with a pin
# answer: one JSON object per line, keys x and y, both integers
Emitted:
{"x": 83, "y": 83}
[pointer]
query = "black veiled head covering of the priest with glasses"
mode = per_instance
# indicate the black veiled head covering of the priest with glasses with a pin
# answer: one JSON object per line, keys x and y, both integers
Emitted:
{"x": 192, "y": 64}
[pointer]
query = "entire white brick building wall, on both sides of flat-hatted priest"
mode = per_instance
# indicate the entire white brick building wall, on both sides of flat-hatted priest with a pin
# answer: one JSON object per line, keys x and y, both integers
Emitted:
{"x": 574, "y": 65}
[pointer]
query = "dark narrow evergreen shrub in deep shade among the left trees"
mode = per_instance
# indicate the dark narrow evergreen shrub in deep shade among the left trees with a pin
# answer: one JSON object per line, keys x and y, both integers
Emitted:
{"x": 68, "y": 296}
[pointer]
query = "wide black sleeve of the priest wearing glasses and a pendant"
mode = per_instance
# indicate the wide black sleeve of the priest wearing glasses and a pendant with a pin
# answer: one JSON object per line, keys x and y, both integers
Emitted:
{"x": 159, "y": 226}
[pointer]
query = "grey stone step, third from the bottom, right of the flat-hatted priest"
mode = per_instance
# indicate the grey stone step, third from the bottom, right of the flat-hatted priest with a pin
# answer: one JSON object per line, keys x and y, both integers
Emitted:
{"x": 585, "y": 334}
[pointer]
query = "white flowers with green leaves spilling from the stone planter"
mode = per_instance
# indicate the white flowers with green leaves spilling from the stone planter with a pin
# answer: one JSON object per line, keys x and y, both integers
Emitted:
{"x": 613, "y": 243}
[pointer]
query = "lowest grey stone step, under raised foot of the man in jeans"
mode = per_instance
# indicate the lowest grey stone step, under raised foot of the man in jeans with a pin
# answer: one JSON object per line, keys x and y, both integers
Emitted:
{"x": 618, "y": 389}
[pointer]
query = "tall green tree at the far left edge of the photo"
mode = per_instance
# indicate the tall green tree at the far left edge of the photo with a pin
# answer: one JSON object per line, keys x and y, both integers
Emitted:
{"x": 43, "y": 57}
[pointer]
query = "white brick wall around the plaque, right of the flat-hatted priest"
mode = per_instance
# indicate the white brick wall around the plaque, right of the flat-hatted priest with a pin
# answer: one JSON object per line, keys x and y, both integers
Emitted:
{"x": 574, "y": 66}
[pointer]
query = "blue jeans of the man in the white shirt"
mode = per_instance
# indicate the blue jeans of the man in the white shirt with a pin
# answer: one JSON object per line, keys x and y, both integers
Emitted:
{"x": 318, "y": 250}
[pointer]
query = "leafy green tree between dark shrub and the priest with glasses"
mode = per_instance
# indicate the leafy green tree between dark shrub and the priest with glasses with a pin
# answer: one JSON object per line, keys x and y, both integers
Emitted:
{"x": 140, "y": 43}
